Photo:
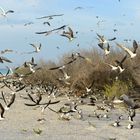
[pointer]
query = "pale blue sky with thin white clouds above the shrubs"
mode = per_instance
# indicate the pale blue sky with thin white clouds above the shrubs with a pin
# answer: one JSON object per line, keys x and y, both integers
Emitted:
{"x": 123, "y": 16}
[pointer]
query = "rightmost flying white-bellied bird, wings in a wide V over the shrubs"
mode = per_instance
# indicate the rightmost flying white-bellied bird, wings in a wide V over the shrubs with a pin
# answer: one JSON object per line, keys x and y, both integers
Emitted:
{"x": 131, "y": 53}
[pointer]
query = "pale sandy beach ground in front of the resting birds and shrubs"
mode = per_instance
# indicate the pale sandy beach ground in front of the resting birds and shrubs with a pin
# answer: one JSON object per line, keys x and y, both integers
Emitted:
{"x": 21, "y": 122}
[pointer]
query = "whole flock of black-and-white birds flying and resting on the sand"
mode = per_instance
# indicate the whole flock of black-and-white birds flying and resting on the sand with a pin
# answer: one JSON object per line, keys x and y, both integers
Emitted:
{"x": 15, "y": 81}
